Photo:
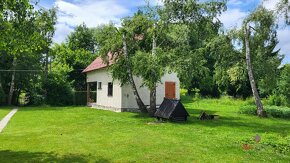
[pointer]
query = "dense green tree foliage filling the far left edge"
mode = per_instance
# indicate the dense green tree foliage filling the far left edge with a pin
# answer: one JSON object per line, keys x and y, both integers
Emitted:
{"x": 25, "y": 37}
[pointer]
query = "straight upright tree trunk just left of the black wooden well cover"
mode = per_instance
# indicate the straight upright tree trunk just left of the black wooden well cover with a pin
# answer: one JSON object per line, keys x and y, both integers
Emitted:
{"x": 152, "y": 109}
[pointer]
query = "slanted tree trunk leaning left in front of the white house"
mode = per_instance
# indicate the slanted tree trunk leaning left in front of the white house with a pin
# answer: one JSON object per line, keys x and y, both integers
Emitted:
{"x": 139, "y": 101}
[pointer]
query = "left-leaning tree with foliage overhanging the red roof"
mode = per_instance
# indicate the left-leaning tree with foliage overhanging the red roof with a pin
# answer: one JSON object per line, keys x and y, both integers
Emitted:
{"x": 119, "y": 42}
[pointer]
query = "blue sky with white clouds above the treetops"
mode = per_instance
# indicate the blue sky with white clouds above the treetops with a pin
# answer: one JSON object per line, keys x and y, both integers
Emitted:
{"x": 96, "y": 12}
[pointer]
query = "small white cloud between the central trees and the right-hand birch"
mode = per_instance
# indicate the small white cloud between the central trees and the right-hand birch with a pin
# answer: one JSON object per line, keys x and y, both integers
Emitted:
{"x": 232, "y": 18}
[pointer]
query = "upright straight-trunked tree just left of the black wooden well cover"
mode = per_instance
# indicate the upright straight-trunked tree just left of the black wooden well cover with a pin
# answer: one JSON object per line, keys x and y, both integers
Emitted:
{"x": 149, "y": 58}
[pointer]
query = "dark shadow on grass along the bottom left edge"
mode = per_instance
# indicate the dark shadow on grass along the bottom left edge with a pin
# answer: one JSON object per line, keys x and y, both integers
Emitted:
{"x": 24, "y": 156}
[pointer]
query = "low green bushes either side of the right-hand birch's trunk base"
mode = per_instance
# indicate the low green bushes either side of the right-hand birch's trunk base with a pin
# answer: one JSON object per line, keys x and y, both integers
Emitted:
{"x": 274, "y": 111}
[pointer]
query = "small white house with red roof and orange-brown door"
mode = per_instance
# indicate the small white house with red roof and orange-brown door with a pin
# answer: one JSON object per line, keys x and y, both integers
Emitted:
{"x": 110, "y": 95}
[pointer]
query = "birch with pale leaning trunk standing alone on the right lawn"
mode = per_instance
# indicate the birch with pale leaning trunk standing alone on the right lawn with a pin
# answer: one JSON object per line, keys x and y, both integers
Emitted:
{"x": 259, "y": 29}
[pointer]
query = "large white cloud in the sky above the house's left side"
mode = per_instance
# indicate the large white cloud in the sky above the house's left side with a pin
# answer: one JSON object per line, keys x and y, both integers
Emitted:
{"x": 90, "y": 12}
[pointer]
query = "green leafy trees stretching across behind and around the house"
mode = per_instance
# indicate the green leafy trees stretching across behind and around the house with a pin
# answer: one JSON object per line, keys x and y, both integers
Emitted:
{"x": 182, "y": 36}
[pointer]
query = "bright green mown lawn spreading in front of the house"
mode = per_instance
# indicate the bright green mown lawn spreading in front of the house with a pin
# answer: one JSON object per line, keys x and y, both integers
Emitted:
{"x": 79, "y": 134}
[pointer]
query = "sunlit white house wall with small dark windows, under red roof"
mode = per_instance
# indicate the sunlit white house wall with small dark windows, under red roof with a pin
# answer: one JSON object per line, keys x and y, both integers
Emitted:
{"x": 102, "y": 94}
